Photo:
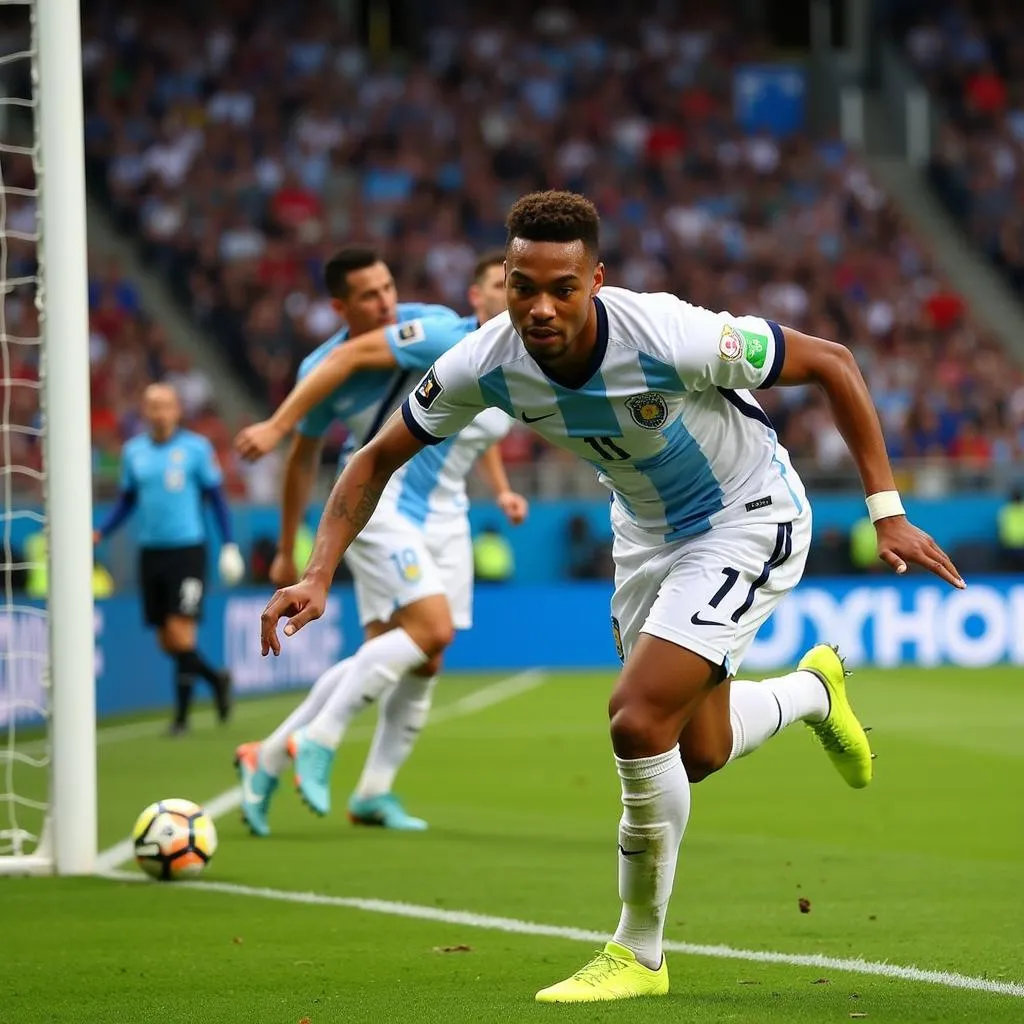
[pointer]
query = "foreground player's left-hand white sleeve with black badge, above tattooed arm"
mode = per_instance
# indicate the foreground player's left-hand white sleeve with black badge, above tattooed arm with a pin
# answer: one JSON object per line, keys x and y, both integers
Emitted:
{"x": 447, "y": 400}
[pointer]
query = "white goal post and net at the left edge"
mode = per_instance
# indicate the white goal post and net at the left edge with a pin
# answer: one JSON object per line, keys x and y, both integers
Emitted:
{"x": 48, "y": 733}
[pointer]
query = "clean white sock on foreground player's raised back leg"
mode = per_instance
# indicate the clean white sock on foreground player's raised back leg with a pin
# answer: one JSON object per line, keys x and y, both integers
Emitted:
{"x": 758, "y": 711}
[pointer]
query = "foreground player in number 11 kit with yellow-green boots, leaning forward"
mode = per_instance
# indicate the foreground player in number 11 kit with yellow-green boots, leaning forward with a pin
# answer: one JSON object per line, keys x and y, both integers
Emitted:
{"x": 711, "y": 529}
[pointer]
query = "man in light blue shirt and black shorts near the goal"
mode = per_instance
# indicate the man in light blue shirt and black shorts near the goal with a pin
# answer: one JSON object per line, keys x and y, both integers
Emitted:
{"x": 167, "y": 476}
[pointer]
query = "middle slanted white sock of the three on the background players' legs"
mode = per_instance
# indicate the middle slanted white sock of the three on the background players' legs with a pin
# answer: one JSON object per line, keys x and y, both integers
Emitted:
{"x": 378, "y": 665}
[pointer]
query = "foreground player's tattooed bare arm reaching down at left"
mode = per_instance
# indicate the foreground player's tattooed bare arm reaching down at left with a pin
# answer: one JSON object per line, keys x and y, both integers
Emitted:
{"x": 349, "y": 509}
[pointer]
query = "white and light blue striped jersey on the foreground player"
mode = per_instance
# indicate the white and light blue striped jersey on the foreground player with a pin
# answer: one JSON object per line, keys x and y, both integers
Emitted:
{"x": 666, "y": 415}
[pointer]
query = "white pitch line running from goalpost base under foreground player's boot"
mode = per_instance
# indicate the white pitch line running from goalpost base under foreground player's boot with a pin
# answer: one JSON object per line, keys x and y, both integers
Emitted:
{"x": 948, "y": 979}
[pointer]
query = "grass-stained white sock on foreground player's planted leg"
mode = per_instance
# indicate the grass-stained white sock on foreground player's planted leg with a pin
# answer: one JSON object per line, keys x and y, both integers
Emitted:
{"x": 656, "y": 808}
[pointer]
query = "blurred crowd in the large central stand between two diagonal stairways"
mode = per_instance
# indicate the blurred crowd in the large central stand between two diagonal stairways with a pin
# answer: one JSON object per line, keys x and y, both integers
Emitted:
{"x": 242, "y": 143}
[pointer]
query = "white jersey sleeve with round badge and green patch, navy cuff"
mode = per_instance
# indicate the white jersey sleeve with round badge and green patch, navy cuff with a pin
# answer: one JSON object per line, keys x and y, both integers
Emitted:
{"x": 721, "y": 351}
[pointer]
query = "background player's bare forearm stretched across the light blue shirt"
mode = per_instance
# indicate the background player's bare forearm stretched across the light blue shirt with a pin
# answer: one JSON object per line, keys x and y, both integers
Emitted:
{"x": 369, "y": 352}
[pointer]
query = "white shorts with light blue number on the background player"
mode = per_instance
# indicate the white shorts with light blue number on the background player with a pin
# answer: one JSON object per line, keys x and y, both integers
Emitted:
{"x": 395, "y": 564}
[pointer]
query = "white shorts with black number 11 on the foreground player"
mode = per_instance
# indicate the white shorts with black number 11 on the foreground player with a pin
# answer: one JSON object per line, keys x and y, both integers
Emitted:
{"x": 710, "y": 593}
